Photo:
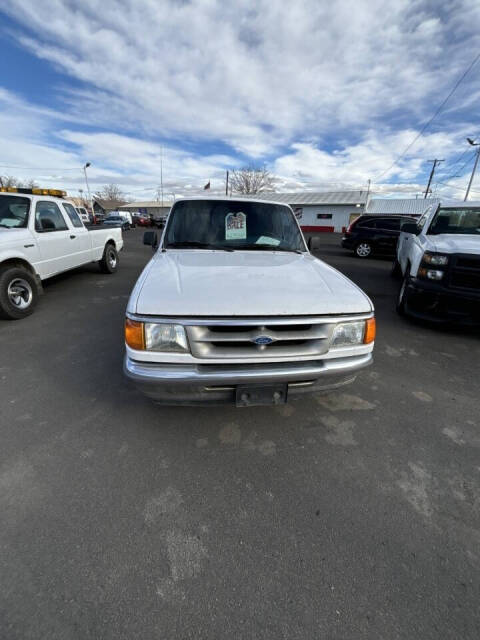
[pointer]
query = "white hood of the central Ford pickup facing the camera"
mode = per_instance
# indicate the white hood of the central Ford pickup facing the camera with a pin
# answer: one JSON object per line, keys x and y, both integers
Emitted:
{"x": 243, "y": 283}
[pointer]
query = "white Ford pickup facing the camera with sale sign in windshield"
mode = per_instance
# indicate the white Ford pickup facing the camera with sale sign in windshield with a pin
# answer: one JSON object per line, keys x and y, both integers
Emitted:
{"x": 233, "y": 308}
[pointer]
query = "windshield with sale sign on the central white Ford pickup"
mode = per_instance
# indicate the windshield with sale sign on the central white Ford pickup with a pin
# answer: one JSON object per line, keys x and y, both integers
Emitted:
{"x": 224, "y": 224}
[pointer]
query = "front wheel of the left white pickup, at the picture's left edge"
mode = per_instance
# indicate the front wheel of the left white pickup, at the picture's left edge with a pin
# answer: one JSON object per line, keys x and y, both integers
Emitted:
{"x": 18, "y": 293}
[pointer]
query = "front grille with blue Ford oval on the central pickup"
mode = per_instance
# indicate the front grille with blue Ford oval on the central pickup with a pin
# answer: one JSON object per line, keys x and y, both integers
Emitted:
{"x": 237, "y": 340}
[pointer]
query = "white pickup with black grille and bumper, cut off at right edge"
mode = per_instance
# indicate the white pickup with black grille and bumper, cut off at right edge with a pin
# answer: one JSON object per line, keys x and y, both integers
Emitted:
{"x": 438, "y": 259}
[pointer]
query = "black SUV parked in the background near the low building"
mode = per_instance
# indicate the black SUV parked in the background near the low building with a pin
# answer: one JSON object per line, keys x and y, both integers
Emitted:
{"x": 370, "y": 235}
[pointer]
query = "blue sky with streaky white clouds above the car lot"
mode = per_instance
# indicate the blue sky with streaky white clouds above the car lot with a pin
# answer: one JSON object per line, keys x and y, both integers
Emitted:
{"x": 327, "y": 95}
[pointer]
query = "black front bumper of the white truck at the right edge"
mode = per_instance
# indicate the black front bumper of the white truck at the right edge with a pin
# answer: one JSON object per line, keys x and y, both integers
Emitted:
{"x": 436, "y": 303}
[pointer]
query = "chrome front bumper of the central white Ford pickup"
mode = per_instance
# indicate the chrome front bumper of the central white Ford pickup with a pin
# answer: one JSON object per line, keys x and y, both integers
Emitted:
{"x": 216, "y": 383}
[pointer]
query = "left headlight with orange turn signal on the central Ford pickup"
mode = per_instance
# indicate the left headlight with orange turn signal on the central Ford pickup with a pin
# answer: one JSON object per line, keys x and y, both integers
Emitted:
{"x": 153, "y": 336}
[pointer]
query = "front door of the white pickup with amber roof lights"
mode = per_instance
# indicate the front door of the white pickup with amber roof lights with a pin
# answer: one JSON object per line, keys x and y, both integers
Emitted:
{"x": 53, "y": 237}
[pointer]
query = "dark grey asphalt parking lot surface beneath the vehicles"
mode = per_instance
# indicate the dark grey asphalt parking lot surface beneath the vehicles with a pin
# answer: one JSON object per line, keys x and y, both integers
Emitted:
{"x": 350, "y": 515}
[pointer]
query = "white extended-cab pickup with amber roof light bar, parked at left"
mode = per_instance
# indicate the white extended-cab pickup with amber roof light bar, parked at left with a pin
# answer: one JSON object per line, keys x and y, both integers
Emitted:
{"x": 41, "y": 234}
